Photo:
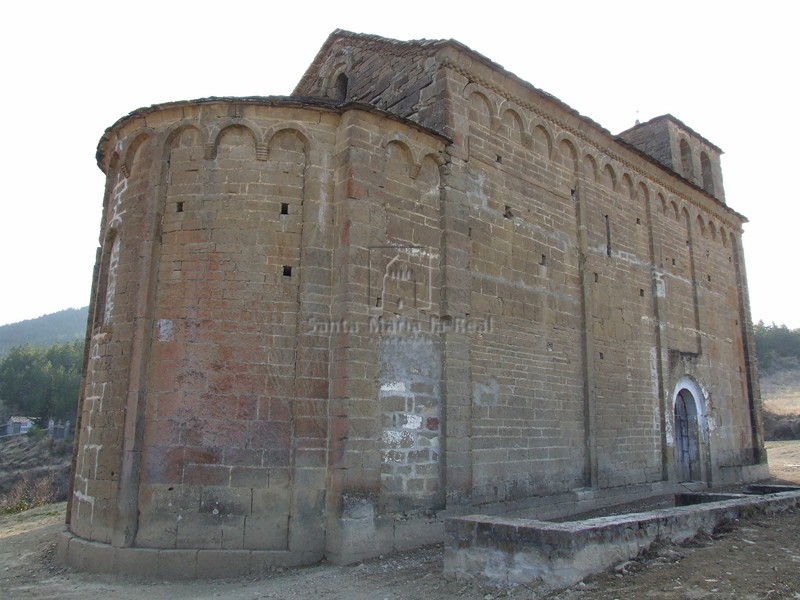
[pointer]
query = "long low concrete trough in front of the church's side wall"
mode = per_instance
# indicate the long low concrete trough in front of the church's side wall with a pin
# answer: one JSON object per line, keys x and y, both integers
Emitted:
{"x": 508, "y": 551}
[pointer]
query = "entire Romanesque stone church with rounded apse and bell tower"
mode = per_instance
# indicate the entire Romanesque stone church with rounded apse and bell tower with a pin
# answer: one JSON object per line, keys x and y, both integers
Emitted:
{"x": 417, "y": 288}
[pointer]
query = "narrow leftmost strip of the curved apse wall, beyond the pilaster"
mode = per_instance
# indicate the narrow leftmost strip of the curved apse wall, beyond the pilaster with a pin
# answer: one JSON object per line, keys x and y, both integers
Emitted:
{"x": 114, "y": 343}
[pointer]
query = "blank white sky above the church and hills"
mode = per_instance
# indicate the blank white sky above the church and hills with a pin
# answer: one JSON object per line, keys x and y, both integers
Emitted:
{"x": 71, "y": 69}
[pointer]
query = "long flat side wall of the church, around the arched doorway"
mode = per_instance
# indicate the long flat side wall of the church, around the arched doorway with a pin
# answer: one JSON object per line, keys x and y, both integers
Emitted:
{"x": 611, "y": 264}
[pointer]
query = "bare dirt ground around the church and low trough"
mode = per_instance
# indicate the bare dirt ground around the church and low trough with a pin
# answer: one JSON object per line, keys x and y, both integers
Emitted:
{"x": 757, "y": 558}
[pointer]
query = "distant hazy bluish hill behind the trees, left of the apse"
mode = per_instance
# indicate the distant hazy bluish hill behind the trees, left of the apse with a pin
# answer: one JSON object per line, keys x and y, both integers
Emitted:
{"x": 57, "y": 328}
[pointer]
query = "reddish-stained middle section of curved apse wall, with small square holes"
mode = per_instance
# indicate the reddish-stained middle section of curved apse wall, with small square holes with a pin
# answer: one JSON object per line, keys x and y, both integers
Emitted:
{"x": 237, "y": 392}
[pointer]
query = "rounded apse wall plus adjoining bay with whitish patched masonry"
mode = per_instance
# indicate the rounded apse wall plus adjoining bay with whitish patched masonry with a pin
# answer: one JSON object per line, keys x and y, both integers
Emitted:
{"x": 248, "y": 239}
